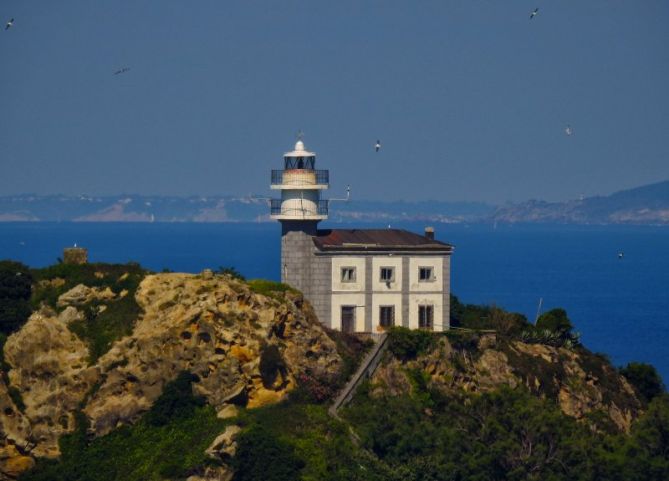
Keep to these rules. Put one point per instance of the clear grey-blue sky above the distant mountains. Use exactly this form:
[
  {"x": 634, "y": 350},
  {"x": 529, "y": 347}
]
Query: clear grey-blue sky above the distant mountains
[{"x": 470, "y": 99}]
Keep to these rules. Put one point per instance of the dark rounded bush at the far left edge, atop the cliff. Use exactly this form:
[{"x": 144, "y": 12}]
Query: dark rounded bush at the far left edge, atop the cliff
[{"x": 15, "y": 290}]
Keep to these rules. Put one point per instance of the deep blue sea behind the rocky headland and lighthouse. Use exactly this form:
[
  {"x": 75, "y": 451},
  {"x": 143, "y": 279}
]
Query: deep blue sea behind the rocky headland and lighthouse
[{"x": 620, "y": 306}]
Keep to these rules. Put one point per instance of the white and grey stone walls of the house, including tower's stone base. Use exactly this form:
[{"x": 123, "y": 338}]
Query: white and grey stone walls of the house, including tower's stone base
[{"x": 318, "y": 275}]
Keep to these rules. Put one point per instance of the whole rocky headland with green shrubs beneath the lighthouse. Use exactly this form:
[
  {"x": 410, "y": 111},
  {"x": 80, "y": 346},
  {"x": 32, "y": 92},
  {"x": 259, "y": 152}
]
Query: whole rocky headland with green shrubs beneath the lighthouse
[{"x": 524, "y": 402}]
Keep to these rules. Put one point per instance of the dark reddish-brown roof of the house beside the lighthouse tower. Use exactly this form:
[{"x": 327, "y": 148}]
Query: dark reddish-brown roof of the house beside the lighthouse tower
[{"x": 379, "y": 239}]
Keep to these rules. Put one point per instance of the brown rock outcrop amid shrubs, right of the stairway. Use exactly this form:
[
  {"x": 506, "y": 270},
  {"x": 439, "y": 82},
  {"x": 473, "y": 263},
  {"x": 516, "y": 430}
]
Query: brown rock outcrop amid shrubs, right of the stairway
[{"x": 579, "y": 382}]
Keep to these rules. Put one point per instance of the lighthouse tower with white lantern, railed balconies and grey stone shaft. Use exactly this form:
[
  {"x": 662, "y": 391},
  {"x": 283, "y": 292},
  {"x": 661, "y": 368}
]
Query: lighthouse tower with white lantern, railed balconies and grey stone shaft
[{"x": 299, "y": 210}]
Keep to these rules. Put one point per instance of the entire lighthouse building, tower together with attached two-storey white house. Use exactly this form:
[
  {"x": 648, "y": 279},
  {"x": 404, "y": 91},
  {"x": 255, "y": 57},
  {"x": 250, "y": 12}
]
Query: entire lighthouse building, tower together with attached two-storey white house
[{"x": 358, "y": 280}]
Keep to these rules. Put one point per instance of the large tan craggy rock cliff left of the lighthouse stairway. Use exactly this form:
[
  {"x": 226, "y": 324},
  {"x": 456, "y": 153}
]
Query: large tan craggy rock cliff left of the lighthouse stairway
[{"x": 211, "y": 326}]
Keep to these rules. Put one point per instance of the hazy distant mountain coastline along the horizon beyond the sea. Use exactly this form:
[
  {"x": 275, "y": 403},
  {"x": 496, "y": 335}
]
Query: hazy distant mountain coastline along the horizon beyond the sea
[{"x": 643, "y": 205}]
